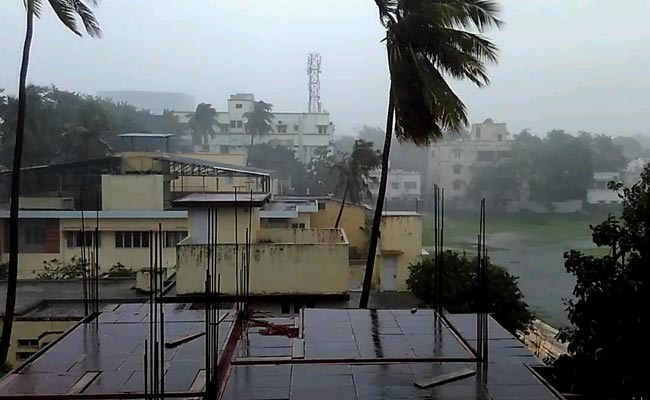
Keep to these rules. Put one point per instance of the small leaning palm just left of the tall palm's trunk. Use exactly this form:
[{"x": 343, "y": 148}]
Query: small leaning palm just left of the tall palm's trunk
[{"x": 354, "y": 173}]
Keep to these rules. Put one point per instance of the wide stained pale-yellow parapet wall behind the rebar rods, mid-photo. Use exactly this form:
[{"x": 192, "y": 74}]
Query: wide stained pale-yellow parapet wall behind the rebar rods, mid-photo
[{"x": 275, "y": 268}]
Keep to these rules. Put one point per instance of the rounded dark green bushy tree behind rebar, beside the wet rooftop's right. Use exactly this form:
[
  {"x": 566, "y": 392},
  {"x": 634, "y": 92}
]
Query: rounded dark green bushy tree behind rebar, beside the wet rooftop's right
[{"x": 505, "y": 304}]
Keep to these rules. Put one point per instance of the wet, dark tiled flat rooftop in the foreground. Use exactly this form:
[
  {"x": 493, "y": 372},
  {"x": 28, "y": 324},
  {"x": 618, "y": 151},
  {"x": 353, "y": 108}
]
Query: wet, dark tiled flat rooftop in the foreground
[{"x": 319, "y": 354}]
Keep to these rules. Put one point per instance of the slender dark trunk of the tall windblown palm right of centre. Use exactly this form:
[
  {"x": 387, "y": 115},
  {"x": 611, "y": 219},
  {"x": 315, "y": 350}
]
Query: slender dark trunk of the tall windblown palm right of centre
[{"x": 379, "y": 206}]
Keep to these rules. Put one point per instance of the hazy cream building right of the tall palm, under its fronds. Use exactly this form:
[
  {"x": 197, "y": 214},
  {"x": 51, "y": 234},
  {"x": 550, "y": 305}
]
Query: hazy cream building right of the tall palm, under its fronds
[{"x": 452, "y": 163}]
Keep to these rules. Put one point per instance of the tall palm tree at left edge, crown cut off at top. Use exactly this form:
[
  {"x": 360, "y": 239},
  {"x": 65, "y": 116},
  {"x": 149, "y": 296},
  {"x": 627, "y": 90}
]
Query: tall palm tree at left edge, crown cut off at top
[{"x": 67, "y": 11}]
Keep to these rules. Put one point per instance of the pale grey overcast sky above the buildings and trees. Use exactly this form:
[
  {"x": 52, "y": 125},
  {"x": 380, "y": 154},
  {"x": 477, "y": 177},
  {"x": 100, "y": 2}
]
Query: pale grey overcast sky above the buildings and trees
[{"x": 569, "y": 64}]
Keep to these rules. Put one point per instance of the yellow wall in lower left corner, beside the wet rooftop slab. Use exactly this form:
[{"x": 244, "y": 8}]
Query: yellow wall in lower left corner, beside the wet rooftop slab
[{"x": 23, "y": 329}]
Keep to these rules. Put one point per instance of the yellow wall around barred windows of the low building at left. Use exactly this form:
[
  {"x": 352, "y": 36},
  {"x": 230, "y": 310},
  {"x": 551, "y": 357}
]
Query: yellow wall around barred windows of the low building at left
[{"x": 31, "y": 264}]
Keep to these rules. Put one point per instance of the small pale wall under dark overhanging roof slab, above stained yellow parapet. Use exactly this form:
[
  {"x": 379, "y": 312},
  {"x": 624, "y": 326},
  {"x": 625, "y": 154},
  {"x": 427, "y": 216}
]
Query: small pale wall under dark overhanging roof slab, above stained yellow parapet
[{"x": 198, "y": 225}]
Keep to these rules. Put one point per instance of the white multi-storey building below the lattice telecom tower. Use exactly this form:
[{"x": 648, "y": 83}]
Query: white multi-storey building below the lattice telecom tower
[{"x": 304, "y": 132}]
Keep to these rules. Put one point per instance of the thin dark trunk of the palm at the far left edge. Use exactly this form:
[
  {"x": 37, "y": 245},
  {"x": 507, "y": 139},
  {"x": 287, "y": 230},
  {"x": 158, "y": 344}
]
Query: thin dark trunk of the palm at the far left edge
[{"x": 12, "y": 277}]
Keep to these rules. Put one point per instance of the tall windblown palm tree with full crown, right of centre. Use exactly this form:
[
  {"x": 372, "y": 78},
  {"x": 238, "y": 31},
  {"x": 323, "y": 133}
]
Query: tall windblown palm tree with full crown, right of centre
[{"x": 427, "y": 41}]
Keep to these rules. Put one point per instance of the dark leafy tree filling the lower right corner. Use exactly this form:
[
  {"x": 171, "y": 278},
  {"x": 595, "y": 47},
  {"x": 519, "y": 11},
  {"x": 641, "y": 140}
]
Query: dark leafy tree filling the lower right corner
[{"x": 609, "y": 316}]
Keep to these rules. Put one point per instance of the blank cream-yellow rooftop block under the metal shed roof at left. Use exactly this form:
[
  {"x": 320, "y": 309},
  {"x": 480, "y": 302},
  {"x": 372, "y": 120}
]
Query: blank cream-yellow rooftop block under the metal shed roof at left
[{"x": 133, "y": 192}]
